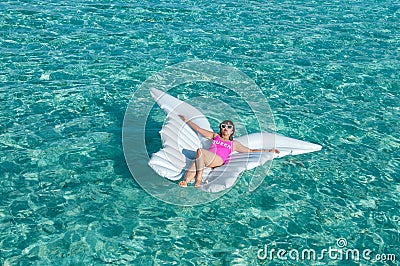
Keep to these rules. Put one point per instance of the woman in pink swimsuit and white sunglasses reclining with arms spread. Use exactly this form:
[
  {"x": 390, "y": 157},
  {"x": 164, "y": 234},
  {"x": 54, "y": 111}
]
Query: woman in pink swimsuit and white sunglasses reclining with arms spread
[{"x": 222, "y": 146}]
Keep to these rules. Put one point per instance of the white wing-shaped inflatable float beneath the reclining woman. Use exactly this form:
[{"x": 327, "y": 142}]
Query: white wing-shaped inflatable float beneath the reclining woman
[{"x": 180, "y": 143}]
